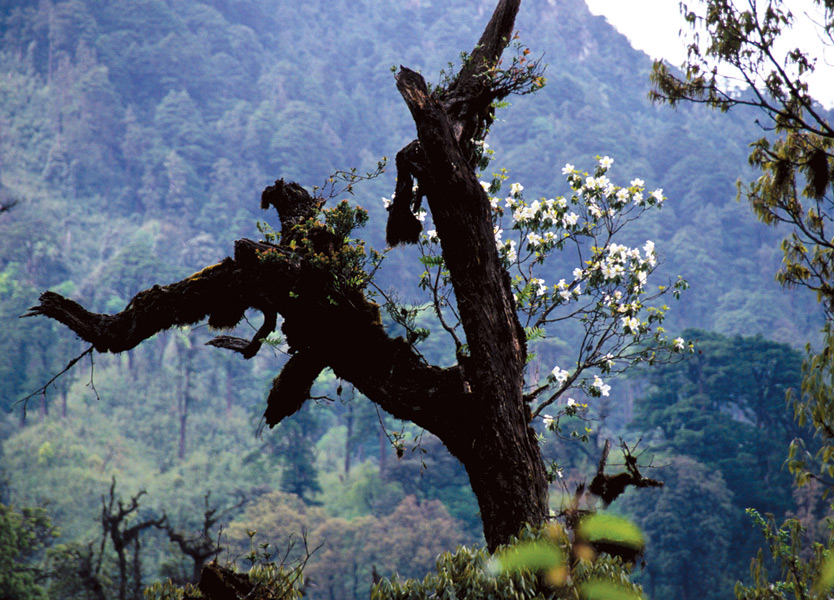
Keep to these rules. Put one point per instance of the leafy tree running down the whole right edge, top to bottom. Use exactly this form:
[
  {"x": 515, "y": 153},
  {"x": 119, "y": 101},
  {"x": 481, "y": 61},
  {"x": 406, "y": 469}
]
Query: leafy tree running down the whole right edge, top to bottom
[{"x": 743, "y": 43}]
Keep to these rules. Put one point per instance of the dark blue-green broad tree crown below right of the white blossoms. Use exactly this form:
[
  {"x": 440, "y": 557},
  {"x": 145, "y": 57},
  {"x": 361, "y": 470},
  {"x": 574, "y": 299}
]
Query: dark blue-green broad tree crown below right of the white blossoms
[{"x": 715, "y": 406}]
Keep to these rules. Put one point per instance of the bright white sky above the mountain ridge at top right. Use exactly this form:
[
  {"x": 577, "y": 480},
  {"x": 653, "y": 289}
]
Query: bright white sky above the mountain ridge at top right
[{"x": 658, "y": 35}]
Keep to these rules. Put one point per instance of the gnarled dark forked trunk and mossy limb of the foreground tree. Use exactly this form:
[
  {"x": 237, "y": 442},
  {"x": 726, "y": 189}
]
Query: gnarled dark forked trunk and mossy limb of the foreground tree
[{"x": 475, "y": 407}]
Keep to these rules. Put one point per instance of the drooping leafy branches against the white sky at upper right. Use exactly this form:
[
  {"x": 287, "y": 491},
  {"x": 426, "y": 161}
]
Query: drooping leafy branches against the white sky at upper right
[{"x": 740, "y": 40}]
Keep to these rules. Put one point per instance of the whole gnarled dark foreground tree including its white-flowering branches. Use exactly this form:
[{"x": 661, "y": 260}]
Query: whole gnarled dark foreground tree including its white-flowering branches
[{"x": 488, "y": 294}]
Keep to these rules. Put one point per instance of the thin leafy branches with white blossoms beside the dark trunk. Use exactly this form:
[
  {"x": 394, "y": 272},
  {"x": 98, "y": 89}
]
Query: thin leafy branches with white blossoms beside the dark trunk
[{"x": 606, "y": 292}]
